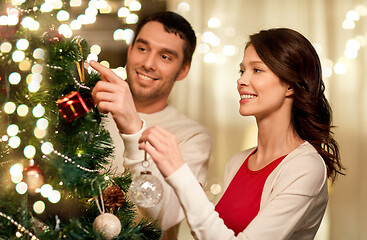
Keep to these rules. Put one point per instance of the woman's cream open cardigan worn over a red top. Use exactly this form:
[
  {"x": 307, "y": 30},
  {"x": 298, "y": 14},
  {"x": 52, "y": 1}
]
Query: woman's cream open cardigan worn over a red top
[{"x": 292, "y": 206}]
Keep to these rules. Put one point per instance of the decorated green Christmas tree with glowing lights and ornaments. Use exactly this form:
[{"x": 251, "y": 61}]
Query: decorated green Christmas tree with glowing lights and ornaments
[{"x": 54, "y": 148}]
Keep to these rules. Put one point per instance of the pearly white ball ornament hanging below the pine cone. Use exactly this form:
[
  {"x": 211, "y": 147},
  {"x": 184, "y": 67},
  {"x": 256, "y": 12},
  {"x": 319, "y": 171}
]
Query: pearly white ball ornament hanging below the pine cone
[{"x": 108, "y": 225}]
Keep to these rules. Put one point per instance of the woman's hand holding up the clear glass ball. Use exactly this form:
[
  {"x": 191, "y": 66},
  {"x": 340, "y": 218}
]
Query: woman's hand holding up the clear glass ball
[{"x": 163, "y": 148}]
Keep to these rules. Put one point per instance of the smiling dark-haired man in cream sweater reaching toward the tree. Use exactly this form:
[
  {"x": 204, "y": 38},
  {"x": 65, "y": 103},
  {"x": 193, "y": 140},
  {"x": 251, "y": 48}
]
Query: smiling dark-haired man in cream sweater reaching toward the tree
[{"x": 159, "y": 55}]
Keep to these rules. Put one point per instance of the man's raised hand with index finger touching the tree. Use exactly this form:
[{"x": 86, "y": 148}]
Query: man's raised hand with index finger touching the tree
[{"x": 112, "y": 95}]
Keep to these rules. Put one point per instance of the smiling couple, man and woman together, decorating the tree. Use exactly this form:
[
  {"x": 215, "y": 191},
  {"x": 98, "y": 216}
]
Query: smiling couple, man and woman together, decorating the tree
[{"x": 277, "y": 190}]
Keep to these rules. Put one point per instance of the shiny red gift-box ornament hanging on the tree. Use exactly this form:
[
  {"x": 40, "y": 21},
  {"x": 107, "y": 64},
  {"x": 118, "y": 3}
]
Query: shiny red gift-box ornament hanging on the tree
[{"x": 73, "y": 106}]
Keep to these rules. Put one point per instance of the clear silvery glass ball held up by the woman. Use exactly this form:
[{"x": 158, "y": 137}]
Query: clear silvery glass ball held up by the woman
[{"x": 146, "y": 190}]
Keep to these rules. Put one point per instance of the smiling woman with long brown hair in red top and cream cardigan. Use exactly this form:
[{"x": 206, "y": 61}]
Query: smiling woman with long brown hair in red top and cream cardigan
[{"x": 277, "y": 190}]
